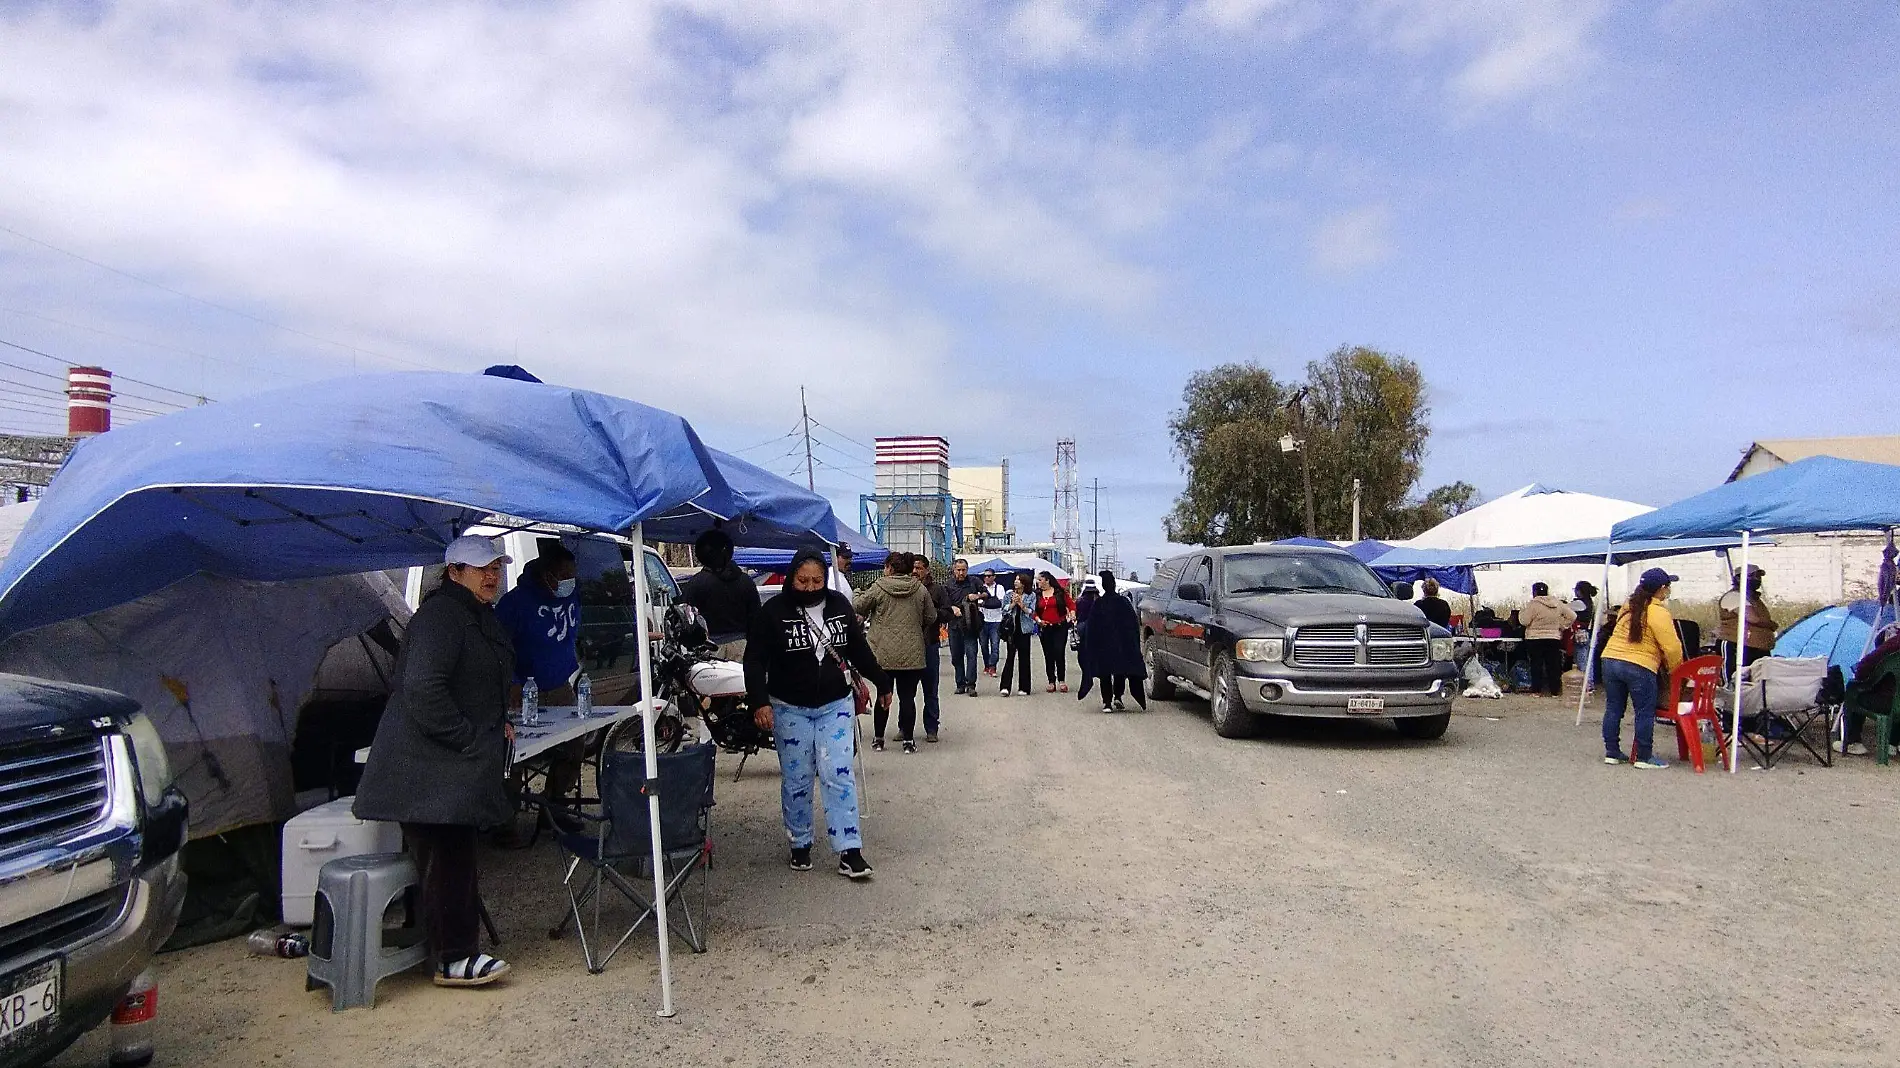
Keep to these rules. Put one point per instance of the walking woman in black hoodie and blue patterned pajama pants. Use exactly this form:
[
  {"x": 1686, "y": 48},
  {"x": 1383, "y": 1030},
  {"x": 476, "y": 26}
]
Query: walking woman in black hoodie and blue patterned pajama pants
[{"x": 799, "y": 689}]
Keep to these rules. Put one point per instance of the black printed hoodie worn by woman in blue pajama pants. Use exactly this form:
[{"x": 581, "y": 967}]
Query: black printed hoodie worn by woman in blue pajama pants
[{"x": 780, "y": 664}]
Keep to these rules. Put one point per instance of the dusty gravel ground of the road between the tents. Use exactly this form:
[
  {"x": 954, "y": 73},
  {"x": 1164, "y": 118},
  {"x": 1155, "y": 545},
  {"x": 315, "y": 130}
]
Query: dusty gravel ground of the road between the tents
[{"x": 1057, "y": 887}]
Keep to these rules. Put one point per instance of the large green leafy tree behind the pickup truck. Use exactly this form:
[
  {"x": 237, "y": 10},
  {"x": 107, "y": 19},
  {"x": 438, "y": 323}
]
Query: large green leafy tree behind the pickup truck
[{"x": 1363, "y": 415}]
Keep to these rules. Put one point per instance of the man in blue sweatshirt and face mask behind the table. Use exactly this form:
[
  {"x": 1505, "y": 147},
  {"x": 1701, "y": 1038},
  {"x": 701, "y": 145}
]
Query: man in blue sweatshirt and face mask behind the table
[{"x": 542, "y": 617}]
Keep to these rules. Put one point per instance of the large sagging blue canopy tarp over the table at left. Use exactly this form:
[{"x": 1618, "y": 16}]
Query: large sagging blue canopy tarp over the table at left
[{"x": 360, "y": 474}]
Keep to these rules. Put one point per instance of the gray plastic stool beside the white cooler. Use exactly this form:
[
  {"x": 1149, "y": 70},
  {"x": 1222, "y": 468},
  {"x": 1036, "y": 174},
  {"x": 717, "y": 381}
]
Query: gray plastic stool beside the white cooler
[{"x": 347, "y": 942}]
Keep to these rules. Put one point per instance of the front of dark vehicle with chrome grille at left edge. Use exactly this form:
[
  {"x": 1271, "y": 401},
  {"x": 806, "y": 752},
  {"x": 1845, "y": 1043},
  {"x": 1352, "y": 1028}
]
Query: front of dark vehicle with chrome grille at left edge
[{"x": 90, "y": 837}]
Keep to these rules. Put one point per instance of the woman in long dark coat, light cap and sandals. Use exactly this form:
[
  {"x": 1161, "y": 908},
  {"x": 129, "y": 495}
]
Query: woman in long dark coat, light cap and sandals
[{"x": 440, "y": 759}]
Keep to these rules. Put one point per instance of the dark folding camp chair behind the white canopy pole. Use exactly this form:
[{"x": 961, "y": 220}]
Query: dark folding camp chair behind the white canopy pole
[{"x": 618, "y": 845}]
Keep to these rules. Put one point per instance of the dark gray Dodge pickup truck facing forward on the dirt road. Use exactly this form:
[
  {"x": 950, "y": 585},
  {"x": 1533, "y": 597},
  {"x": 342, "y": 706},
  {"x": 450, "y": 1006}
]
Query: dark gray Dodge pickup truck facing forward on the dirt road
[{"x": 1297, "y": 632}]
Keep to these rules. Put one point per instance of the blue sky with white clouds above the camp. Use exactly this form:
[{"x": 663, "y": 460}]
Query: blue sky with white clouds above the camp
[{"x": 1622, "y": 238}]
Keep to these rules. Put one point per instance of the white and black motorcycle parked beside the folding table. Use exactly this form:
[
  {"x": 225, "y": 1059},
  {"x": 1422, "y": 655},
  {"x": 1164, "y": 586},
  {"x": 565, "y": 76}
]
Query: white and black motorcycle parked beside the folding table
[{"x": 696, "y": 683}]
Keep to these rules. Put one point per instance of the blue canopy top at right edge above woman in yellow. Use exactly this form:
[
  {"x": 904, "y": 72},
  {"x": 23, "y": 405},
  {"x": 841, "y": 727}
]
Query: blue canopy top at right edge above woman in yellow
[{"x": 1812, "y": 495}]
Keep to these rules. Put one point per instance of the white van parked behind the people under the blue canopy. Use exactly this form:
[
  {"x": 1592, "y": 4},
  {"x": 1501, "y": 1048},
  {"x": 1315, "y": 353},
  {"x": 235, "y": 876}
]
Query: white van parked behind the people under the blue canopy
[{"x": 603, "y": 567}]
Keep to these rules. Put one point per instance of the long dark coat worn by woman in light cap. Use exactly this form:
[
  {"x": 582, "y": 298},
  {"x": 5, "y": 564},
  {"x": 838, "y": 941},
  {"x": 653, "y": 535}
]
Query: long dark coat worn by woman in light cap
[{"x": 442, "y": 746}]
